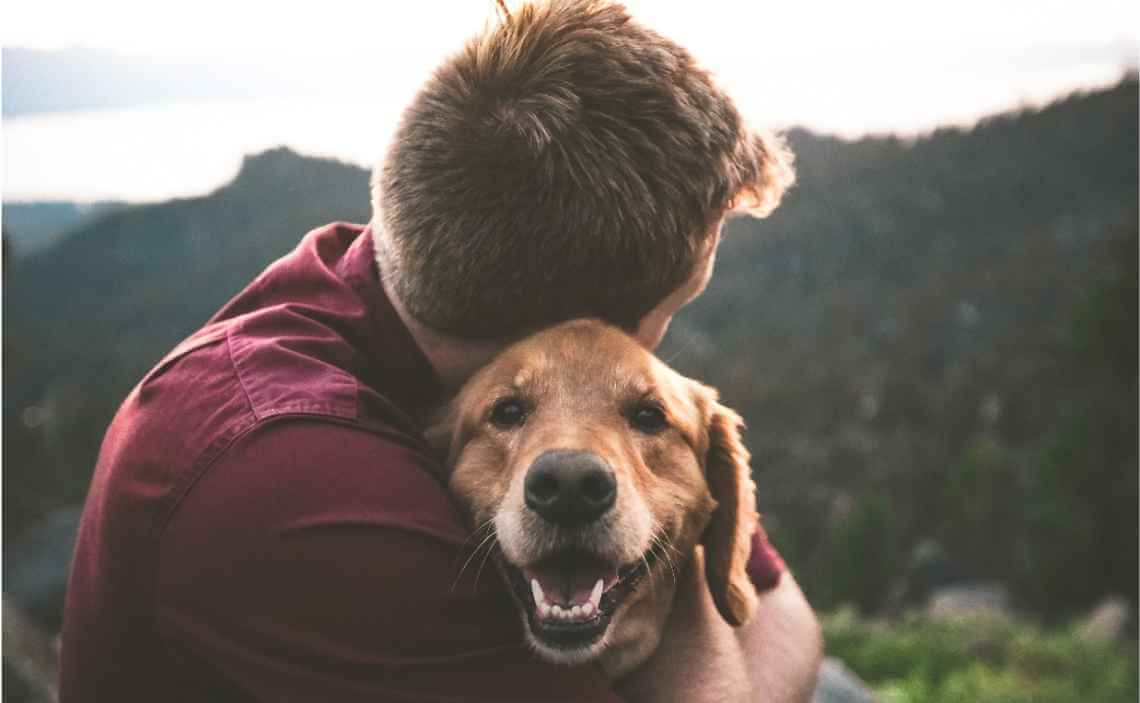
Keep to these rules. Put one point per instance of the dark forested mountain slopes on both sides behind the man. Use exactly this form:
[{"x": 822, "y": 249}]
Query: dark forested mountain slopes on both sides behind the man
[{"x": 932, "y": 340}]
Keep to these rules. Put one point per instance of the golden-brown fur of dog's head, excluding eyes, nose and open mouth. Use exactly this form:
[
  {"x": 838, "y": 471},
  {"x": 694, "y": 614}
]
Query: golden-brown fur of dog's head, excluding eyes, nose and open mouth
[{"x": 682, "y": 488}]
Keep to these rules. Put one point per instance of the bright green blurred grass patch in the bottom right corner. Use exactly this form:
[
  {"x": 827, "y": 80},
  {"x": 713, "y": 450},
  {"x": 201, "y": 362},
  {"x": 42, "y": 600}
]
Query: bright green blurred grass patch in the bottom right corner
[{"x": 982, "y": 661}]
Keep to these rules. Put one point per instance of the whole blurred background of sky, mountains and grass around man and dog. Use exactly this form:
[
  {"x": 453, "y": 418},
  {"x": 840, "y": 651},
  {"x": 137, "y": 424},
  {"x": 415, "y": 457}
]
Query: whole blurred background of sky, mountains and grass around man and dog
[{"x": 933, "y": 340}]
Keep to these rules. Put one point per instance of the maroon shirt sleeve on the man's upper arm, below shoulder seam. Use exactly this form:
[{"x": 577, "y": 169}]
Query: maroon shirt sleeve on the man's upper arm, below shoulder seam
[{"x": 320, "y": 562}]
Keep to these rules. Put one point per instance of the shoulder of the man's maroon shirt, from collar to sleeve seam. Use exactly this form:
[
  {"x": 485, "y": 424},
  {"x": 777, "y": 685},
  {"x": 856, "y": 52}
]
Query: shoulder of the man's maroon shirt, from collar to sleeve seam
[{"x": 311, "y": 338}]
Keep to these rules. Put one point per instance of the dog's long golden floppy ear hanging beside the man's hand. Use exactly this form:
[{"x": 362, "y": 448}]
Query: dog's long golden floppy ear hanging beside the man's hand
[{"x": 729, "y": 536}]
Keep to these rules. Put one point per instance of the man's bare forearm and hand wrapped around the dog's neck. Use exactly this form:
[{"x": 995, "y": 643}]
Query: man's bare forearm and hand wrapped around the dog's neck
[{"x": 775, "y": 658}]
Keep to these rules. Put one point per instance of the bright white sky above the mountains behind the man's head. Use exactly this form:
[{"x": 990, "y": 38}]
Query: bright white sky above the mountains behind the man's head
[{"x": 850, "y": 69}]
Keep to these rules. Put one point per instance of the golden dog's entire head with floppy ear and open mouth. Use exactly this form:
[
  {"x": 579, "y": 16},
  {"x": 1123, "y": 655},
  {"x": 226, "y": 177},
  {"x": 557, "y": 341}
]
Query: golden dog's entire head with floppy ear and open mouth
[{"x": 598, "y": 470}]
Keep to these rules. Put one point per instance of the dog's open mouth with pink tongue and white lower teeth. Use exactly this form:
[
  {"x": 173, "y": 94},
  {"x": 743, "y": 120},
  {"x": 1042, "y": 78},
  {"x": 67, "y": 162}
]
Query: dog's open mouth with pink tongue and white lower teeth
[{"x": 571, "y": 596}]
